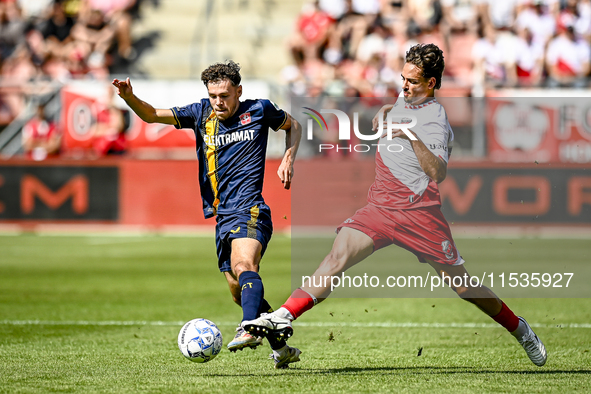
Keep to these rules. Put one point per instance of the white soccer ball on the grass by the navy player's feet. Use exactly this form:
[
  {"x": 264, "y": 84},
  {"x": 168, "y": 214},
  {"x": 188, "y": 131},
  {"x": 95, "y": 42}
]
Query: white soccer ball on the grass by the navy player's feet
[{"x": 200, "y": 340}]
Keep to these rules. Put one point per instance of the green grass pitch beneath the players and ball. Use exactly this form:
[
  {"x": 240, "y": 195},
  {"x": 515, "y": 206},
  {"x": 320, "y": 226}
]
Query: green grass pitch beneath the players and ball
[{"x": 55, "y": 289}]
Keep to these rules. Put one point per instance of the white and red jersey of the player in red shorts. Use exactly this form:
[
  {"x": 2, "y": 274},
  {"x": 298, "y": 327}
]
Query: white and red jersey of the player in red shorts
[{"x": 400, "y": 181}]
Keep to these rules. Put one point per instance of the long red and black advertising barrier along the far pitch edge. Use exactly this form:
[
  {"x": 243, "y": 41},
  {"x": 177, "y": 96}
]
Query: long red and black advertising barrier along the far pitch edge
[{"x": 162, "y": 193}]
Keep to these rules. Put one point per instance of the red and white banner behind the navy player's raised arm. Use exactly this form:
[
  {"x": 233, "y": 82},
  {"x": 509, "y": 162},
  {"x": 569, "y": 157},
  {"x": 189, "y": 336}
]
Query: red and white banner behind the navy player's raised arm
[{"x": 89, "y": 105}]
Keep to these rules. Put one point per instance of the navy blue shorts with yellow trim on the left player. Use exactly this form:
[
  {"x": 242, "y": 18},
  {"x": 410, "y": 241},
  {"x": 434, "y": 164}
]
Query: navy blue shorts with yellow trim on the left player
[{"x": 252, "y": 223}]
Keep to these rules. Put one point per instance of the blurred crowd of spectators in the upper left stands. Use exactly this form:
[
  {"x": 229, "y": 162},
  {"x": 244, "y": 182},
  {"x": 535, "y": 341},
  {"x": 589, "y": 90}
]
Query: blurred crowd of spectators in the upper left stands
[{"x": 59, "y": 40}]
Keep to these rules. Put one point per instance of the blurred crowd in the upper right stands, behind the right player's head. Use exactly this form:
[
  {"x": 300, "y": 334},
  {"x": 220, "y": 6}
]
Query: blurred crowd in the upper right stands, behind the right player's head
[{"x": 357, "y": 47}]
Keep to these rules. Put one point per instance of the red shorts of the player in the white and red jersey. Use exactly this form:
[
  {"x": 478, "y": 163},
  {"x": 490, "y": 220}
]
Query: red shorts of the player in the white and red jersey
[{"x": 422, "y": 231}]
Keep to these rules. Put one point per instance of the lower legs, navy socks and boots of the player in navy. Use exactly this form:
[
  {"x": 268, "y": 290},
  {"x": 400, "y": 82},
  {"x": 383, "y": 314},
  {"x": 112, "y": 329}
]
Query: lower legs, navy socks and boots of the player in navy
[{"x": 245, "y": 259}]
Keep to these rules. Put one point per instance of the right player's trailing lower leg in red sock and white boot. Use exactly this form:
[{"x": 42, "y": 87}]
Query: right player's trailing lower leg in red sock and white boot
[{"x": 489, "y": 303}]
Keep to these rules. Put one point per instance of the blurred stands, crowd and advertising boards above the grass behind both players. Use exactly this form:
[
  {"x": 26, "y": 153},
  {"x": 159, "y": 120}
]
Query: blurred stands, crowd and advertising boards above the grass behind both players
[{"x": 516, "y": 81}]
